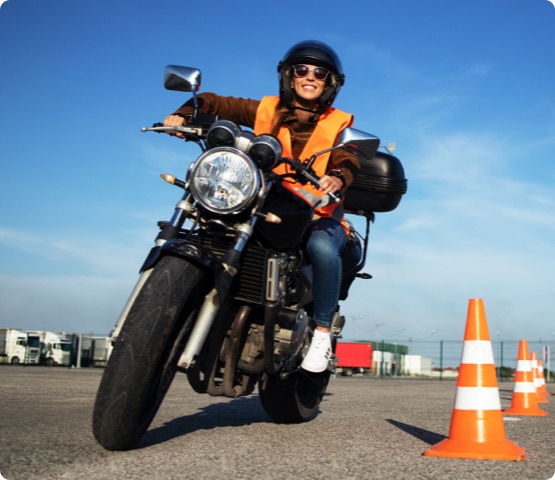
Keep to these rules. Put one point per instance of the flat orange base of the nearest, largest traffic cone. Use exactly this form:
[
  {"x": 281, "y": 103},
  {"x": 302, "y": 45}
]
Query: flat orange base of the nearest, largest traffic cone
[{"x": 505, "y": 450}]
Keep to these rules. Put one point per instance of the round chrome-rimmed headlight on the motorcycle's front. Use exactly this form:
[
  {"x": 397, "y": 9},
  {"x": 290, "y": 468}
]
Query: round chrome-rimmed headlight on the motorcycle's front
[{"x": 224, "y": 180}]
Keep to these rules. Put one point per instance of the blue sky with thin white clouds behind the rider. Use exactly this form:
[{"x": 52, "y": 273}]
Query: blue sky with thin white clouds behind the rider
[{"x": 464, "y": 88}]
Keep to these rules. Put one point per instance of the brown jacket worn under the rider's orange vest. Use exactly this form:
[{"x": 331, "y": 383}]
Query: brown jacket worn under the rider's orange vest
[{"x": 243, "y": 111}]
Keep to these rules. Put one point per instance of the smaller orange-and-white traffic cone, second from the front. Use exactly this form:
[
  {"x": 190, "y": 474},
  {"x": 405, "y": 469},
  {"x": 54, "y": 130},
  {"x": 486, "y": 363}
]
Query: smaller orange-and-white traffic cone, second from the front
[{"x": 524, "y": 400}]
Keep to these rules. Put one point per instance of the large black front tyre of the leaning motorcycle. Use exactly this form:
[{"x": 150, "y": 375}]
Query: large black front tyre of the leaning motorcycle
[{"x": 144, "y": 359}]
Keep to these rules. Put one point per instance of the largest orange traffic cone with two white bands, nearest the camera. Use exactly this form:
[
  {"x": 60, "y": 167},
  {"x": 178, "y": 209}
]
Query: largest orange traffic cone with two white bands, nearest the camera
[{"x": 477, "y": 428}]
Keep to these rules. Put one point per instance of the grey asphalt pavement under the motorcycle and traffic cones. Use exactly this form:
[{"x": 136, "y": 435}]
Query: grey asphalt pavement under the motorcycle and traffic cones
[{"x": 367, "y": 428}]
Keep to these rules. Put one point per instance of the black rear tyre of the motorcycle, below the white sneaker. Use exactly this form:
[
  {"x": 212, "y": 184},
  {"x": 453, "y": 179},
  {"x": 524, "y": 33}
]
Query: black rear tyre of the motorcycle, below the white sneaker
[{"x": 295, "y": 398}]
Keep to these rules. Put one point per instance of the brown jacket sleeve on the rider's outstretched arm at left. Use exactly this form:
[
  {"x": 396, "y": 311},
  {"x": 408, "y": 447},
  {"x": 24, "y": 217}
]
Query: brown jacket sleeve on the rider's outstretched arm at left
[{"x": 238, "y": 110}]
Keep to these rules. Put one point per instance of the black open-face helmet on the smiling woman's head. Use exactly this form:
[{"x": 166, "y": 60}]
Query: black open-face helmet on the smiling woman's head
[{"x": 317, "y": 53}]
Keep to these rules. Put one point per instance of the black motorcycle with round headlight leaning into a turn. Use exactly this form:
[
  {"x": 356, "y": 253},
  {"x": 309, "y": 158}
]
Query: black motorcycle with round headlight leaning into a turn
[{"x": 227, "y": 299}]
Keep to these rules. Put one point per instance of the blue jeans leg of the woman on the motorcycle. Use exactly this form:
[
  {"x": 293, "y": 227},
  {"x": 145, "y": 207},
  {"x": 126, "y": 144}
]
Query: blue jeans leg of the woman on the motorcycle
[{"x": 325, "y": 245}]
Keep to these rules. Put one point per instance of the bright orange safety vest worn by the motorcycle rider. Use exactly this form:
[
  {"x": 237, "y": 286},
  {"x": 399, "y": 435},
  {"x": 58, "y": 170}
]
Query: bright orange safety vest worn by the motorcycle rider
[{"x": 331, "y": 122}]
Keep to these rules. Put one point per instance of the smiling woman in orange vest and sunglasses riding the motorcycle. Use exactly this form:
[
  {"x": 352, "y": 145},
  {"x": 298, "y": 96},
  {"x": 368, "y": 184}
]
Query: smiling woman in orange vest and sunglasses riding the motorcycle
[{"x": 303, "y": 119}]
